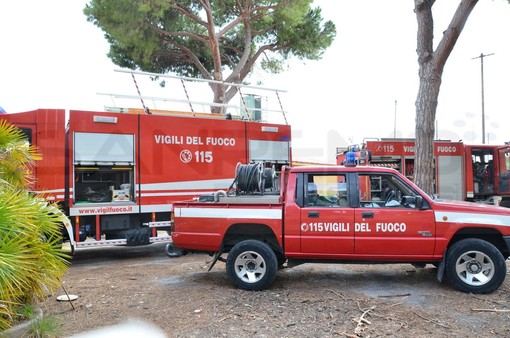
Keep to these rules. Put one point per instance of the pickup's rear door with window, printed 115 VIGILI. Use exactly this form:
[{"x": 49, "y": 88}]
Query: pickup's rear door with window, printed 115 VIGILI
[{"x": 326, "y": 216}]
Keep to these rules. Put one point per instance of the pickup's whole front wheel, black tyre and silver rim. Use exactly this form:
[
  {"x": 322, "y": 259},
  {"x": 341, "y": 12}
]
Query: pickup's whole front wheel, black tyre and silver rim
[{"x": 475, "y": 266}]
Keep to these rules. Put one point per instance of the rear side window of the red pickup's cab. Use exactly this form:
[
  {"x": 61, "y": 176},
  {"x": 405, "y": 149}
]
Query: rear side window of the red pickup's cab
[{"x": 326, "y": 190}]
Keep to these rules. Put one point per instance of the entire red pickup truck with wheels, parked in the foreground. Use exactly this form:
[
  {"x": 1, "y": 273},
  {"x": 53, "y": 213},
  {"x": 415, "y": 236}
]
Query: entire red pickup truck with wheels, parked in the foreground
[{"x": 346, "y": 214}]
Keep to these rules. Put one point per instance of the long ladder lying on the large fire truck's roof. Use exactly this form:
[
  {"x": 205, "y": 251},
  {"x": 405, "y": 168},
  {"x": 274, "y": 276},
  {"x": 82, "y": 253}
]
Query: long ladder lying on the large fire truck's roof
[{"x": 243, "y": 109}]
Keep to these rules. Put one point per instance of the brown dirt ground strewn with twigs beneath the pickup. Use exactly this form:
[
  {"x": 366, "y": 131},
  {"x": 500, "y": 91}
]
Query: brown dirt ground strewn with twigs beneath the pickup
[{"x": 179, "y": 297}]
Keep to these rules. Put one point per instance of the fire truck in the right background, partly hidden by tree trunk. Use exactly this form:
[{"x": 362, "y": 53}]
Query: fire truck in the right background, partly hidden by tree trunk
[{"x": 463, "y": 172}]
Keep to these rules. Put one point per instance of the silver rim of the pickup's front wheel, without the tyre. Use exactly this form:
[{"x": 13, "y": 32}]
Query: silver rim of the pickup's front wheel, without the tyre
[{"x": 475, "y": 268}]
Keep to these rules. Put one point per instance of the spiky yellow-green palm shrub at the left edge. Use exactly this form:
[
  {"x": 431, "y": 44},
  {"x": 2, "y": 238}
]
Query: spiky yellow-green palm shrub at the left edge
[{"x": 31, "y": 258}]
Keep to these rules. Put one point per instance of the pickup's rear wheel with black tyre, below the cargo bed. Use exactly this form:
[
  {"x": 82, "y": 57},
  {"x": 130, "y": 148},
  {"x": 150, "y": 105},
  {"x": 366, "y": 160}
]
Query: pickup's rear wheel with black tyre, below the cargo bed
[{"x": 252, "y": 265}]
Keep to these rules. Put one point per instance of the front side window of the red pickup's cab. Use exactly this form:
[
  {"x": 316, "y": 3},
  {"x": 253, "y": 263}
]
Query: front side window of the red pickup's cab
[{"x": 384, "y": 191}]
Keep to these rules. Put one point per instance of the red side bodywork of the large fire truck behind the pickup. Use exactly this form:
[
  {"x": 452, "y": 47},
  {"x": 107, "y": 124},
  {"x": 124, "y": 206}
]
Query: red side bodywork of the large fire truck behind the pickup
[{"x": 216, "y": 146}]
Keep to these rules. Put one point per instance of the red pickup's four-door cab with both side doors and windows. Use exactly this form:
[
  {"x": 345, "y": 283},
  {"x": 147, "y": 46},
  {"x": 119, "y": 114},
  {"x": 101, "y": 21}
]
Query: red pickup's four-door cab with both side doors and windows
[{"x": 369, "y": 212}]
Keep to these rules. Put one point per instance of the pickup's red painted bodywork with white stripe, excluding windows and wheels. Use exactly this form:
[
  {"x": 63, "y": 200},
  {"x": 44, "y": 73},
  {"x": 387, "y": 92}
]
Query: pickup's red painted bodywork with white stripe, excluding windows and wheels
[{"x": 348, "y": 233}]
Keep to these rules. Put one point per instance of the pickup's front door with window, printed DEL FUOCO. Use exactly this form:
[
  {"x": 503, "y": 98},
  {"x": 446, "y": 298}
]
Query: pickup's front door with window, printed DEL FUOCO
[{"x": 387, "y": 223}]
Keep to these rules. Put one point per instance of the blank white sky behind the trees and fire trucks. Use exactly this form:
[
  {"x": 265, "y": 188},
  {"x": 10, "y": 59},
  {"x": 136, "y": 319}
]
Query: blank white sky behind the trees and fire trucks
[{"x": 364, "y": 86}]
